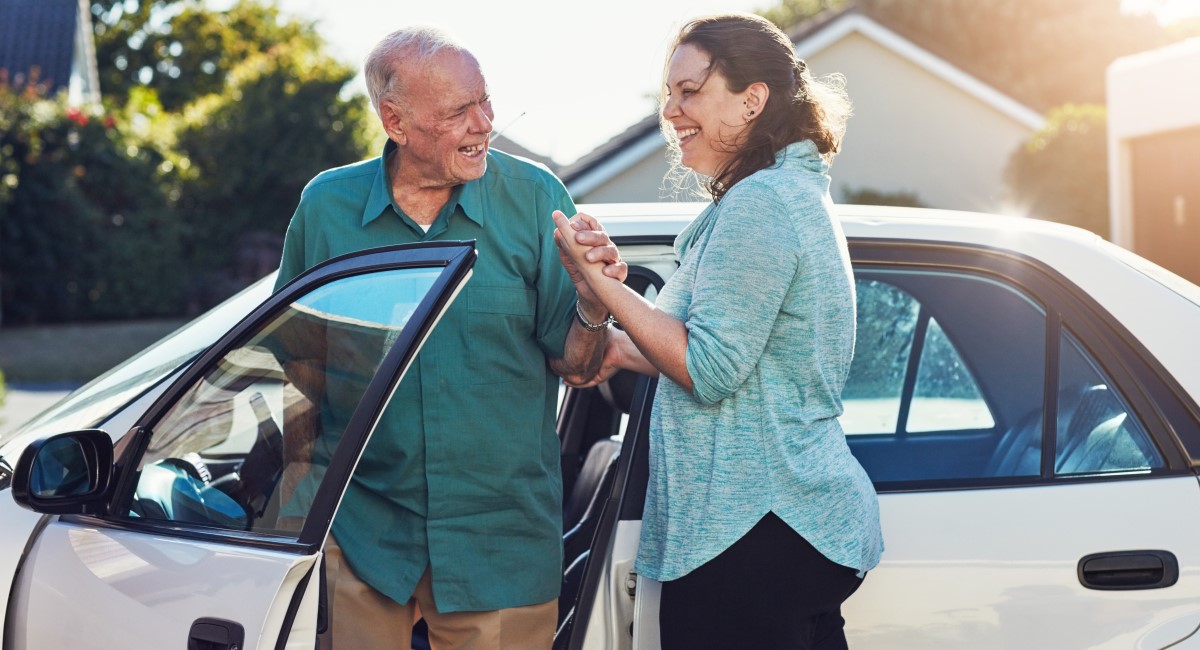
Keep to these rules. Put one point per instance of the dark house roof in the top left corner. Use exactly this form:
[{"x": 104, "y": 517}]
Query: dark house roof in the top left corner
[{"x": 39, "y": 34}]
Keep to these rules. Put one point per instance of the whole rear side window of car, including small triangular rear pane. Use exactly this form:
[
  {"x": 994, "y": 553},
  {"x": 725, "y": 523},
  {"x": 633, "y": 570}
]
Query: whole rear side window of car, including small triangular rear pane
[{"x": 949, "y": 386}]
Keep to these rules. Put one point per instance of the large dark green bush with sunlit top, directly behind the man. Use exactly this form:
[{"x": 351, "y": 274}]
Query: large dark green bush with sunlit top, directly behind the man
[{"x": 249, "y": 152}]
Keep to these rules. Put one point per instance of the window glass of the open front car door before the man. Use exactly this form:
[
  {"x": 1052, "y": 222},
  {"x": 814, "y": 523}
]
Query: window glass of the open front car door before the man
[{"x": 247, "y": 446}]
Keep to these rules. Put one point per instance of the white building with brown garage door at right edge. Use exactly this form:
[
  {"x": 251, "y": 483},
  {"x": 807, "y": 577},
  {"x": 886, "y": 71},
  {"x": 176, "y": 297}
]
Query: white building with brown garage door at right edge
[{"x": 1154, "y": 101}]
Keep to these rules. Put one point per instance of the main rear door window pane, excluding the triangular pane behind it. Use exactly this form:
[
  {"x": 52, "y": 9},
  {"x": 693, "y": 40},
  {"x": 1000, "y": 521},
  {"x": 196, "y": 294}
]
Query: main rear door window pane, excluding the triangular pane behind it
[{"x": 947, "y": 378}]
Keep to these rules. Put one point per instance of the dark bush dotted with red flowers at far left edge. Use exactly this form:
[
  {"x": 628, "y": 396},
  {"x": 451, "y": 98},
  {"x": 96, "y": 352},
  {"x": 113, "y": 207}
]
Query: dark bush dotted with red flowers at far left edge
[{"x": 76, "y": 179}]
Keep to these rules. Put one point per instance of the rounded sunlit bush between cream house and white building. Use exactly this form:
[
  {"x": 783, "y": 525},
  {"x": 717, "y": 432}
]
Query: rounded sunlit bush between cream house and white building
[{"x": 1061, "y": 174}]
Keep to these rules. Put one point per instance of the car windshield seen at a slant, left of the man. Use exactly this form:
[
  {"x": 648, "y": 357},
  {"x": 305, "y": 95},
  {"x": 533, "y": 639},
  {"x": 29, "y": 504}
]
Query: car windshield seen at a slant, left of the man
[{"x": 100, "y": 399}]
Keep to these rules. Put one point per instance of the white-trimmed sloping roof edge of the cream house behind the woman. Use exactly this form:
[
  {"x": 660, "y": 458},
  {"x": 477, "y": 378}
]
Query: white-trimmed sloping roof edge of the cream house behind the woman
[{"x": 644, "y": 139}]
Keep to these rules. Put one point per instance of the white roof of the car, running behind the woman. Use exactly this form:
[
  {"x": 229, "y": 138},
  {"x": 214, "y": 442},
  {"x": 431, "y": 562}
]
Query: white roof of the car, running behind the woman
[{"x": 1155, "y": 305}]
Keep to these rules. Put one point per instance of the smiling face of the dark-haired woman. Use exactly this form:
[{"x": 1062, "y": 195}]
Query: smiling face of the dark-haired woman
[{"x": 709, "y": 121}]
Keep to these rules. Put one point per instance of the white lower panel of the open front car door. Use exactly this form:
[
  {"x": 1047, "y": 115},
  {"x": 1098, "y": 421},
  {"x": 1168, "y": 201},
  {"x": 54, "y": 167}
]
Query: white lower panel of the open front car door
[{"x": 98, "y": 582}]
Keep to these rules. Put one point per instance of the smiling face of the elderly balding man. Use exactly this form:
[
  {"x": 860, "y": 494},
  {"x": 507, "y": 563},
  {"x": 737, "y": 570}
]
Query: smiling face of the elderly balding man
[{"x": 445, "y": 122}]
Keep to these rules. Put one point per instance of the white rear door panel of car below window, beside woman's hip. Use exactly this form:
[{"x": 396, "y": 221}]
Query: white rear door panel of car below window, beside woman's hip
[{"x": 973, "y": 579}]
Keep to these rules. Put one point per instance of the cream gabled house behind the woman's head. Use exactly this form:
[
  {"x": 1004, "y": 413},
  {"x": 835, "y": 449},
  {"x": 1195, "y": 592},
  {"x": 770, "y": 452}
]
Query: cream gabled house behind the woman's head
[{"x": 921, "y": 127}]
